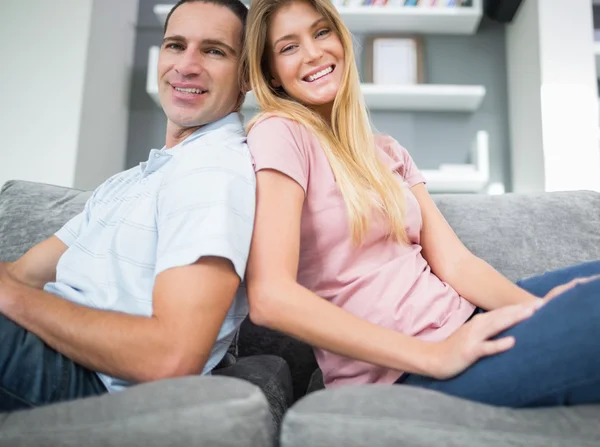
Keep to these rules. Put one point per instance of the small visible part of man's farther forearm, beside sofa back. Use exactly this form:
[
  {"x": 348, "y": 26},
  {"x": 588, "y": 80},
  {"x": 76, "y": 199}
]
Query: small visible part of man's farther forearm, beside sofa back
[{"x": 38, "y": 266}]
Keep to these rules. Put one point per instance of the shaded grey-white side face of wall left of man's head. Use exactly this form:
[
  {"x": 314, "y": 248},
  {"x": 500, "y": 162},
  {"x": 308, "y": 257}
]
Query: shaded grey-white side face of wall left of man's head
[{"x": 105, "y": 111}]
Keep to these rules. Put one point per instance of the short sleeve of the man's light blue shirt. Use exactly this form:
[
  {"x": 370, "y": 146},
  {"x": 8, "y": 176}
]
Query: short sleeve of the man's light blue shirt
[{"x": 205, "y": 207}]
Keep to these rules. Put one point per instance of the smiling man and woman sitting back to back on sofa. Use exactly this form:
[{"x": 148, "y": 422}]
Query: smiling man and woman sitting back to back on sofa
[{"x": 329, "y": 225}]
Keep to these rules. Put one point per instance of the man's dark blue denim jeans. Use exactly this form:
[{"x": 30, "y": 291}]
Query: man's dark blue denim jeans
[{"x": 33, "y": 374}]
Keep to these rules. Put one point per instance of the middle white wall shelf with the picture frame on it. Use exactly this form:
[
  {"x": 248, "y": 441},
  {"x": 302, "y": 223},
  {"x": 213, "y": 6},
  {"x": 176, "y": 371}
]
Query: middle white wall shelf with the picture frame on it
[{"x": 415, "y": 98}]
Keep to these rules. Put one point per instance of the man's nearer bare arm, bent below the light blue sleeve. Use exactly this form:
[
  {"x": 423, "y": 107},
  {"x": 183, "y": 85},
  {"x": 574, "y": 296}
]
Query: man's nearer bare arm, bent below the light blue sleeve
[{"x": 189, "y": 306}]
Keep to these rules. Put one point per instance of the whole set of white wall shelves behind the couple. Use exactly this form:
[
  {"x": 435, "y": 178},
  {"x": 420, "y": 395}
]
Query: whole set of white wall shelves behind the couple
[{"x": 466, "y": 178}]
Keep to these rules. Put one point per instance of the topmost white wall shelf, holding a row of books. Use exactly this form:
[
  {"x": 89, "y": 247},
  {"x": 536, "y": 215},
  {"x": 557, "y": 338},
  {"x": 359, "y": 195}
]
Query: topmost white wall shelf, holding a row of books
[{"x": 388, "y": 19}]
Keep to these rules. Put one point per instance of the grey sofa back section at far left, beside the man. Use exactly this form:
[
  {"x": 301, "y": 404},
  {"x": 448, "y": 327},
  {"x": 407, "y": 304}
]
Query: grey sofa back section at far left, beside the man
[{"x": 32, "y": 212}]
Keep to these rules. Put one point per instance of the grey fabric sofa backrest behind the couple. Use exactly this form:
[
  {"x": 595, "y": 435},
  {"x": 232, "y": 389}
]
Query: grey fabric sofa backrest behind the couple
[{"x": 519, "y": 234}]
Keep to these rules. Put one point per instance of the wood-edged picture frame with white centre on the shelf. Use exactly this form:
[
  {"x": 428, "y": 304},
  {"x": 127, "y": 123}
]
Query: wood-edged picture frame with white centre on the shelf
[{"x": 392, "y": 59}]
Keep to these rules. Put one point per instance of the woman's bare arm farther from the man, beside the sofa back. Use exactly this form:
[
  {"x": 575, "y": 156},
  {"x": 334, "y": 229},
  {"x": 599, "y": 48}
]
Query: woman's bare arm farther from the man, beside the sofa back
[{"x": 453, "y": 263}]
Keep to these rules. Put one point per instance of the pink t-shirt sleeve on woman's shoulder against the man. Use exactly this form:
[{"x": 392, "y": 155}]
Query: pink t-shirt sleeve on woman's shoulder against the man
[{"x": 276, "y": 143}]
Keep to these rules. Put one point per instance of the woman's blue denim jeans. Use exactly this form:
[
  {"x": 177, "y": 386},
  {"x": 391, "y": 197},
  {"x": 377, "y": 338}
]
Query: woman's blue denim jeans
[{"x": 556, "y": 357}]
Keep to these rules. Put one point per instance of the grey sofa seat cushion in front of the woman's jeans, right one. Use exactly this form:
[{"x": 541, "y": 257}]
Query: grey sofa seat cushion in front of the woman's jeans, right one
[{"x": 399, "y": 415}]
